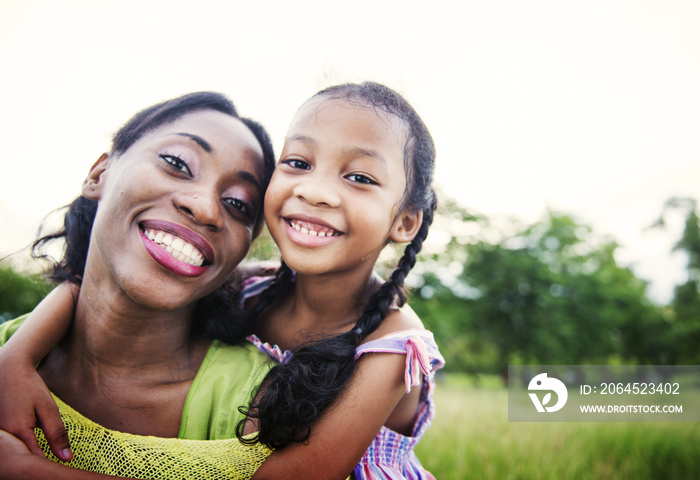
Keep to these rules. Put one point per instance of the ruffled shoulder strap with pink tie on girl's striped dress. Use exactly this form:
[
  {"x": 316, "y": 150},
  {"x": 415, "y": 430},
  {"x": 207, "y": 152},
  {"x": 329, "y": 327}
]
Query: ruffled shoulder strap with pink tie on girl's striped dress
[{"x": 422, "y": 354}]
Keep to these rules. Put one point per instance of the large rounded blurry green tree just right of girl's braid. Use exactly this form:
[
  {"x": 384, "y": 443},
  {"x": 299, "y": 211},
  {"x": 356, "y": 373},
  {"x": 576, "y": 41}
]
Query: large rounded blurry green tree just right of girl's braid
[{"x": 550, "y": 292}]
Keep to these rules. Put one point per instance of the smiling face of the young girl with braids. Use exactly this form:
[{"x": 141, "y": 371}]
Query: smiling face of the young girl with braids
[{"x": 334, "y": 199}]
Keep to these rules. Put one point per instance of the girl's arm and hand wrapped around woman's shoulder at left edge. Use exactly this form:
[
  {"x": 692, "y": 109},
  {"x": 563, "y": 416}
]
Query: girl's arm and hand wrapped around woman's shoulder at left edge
[{"x": 25, "y": 401}]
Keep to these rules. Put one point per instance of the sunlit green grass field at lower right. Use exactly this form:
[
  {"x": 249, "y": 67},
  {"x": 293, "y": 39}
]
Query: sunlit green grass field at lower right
[{"x": 472, "y": 438}]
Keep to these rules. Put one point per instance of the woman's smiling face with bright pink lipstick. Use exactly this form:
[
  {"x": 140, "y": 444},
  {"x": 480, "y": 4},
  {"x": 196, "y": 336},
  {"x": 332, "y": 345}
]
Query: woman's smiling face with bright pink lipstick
[{"x": 176, "y": 211}]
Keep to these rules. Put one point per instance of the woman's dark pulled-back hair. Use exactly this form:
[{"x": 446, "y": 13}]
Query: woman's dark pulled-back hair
[{"x": 80, "y": 214}]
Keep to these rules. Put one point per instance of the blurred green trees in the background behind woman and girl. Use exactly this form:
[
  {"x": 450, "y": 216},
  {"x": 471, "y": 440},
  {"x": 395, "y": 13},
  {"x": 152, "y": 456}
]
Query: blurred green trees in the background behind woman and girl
[{"x": 496, "y": 292}]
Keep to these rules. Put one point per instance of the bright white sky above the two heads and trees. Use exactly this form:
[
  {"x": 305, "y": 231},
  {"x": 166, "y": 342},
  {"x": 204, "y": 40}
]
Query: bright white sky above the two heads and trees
[{"x": 592, "y": 108}]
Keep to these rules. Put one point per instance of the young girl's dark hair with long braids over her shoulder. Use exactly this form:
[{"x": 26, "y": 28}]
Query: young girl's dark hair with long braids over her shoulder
[{"x": 294, "y": 394}]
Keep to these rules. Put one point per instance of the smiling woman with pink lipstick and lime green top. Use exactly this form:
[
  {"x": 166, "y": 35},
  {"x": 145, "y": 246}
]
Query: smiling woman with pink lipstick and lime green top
[{"x": 163, "y": 220}]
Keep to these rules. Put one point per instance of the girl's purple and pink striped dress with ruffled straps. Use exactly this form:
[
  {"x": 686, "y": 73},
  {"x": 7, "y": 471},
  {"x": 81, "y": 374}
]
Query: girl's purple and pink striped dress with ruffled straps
[{"x": 391, "y": 456}]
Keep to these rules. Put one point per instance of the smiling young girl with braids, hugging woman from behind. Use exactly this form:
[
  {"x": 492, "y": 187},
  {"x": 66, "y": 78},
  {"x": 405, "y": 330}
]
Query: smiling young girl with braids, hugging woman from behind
[{"x": 354, "y": 175}]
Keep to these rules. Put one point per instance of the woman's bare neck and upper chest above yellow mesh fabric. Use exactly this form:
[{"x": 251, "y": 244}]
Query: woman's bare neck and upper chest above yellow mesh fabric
[{"x": 127, "y": 368}]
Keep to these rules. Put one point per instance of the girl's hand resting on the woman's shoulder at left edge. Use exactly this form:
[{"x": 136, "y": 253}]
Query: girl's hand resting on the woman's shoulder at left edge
[{"x": 26, "y": 403}]
